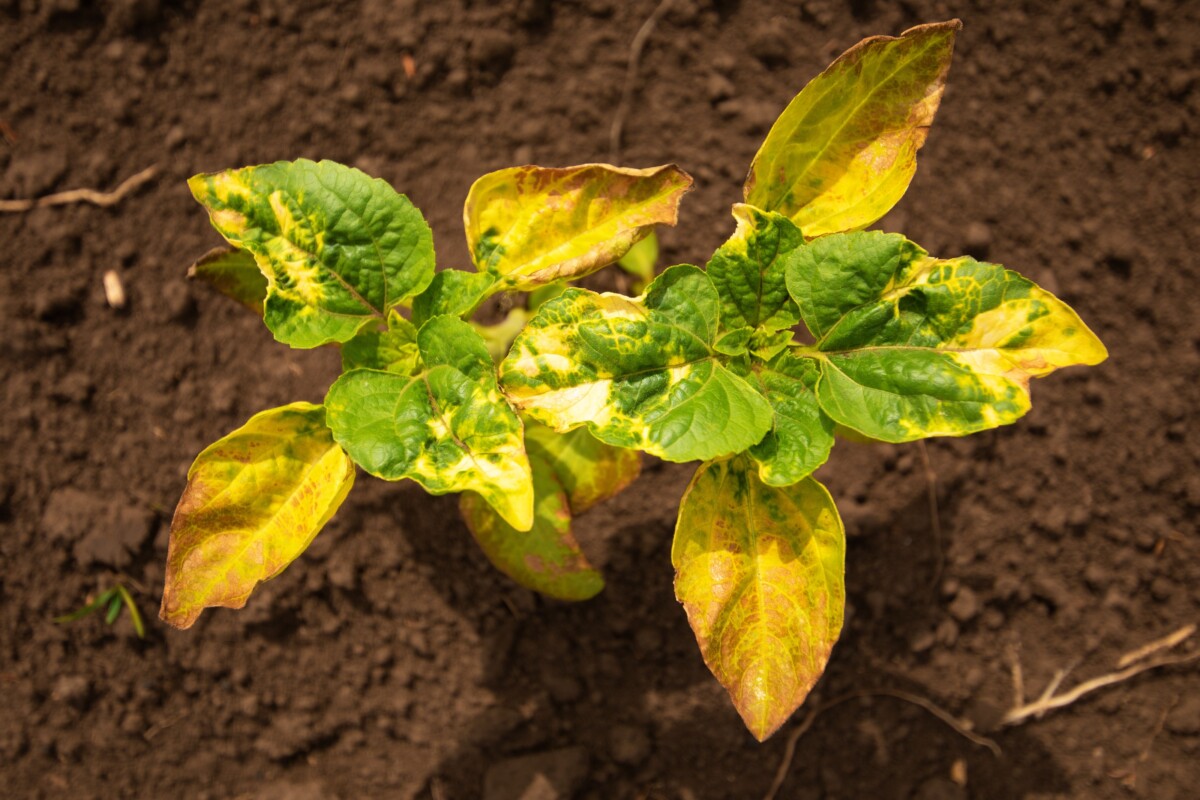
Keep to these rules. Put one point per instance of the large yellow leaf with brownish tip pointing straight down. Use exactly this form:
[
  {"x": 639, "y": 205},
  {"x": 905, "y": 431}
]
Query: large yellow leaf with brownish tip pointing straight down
[{"x": 760, "y": 572}]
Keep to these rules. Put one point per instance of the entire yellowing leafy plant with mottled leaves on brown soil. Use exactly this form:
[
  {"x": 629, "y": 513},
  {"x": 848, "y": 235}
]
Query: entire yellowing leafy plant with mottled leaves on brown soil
[{"x": 803, "y": 327}]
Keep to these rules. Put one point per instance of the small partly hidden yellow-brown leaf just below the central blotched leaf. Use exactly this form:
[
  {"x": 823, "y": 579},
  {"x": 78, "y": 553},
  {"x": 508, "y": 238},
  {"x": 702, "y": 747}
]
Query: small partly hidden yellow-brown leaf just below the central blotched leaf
[{"x": 590, "y": 471}]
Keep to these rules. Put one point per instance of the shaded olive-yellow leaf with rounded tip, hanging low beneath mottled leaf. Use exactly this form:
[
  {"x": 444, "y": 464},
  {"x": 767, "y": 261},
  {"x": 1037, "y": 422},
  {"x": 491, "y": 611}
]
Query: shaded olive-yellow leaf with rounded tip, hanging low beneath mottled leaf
[{"x": 547, "y": 558}]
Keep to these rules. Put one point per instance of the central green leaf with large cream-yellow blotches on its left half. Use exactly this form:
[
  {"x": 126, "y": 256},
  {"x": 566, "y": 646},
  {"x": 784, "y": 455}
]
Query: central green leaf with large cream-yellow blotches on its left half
[{"x": 640, "y": 374}]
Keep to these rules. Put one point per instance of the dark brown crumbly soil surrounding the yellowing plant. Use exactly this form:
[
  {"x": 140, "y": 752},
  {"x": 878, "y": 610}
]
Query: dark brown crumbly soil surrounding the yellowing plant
[{"x": 391, "y": 660}]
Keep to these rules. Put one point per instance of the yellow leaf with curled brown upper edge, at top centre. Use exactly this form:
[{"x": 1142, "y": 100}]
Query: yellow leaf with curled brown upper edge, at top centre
[{"x": 532, "y": 225}]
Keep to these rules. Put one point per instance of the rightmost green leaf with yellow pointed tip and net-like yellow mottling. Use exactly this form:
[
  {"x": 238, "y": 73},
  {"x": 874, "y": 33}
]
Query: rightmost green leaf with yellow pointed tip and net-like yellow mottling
[{"x": 914, "y": 347}]
